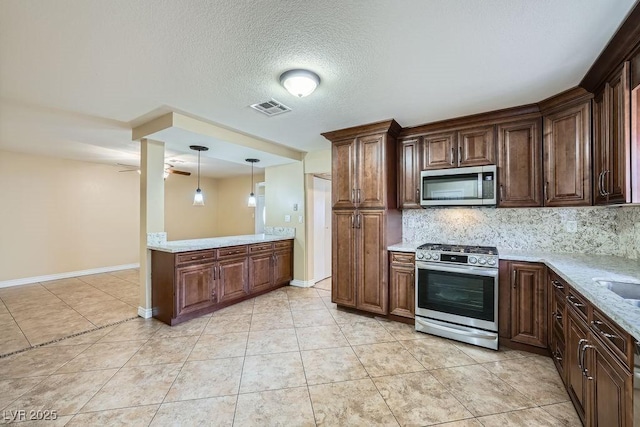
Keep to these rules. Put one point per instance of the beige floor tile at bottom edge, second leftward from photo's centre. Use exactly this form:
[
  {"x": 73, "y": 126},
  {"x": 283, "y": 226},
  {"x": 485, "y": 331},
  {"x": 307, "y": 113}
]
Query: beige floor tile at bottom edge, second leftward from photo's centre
[{"x": 214, "y": 412}]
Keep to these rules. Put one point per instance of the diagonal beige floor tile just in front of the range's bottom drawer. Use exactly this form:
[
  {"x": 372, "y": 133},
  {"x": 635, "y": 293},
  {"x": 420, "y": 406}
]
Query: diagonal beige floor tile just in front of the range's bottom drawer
[{"x": 437, "y": 353}]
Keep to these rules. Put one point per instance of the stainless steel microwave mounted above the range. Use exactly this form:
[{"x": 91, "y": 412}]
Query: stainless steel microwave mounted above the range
[{"x": 472, "y": 186}]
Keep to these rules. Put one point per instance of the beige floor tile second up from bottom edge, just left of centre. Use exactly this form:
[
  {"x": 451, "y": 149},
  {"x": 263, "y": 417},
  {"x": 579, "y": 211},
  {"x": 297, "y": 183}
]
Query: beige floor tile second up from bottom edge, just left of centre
[{"x": 272, "y": 372}]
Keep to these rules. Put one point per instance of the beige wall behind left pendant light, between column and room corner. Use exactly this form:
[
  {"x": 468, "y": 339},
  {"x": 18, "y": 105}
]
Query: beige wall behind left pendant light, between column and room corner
[{"x": 182, "y": 219}]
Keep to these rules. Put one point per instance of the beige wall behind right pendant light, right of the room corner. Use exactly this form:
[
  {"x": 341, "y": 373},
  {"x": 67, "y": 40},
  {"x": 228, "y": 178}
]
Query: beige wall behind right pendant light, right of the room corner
[{"x": 234, "y": 216}]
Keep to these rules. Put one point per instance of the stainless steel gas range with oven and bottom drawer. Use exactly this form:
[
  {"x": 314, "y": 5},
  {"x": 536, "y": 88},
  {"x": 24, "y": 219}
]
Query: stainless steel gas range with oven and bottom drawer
[{"x": 457, "y": 293}]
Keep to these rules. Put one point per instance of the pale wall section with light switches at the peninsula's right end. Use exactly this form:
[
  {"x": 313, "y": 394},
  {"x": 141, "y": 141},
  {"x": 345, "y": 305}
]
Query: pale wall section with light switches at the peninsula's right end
[{"x": 284, "y": 188}]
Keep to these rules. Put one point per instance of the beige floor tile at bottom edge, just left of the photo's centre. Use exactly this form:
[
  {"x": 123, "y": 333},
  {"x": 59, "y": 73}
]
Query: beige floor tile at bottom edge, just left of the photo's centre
[{"x": 287, "y": 407}]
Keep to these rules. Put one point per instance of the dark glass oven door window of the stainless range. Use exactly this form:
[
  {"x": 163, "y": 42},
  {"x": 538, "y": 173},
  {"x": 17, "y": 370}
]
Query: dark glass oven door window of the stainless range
[{"x": 461, "y": 294}]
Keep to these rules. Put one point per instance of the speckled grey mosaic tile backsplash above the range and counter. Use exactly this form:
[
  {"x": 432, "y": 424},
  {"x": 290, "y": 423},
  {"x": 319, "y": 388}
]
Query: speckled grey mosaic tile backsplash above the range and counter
[{"x": 601, "y": 230}]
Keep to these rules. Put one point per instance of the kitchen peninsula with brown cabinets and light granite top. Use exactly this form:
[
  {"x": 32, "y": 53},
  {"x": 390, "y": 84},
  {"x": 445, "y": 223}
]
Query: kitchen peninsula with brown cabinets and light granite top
[{"x": 190, "y": 278}]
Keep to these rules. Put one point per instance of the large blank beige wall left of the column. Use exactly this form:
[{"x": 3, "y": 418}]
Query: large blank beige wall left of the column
[{"x": 61, "y": 215}]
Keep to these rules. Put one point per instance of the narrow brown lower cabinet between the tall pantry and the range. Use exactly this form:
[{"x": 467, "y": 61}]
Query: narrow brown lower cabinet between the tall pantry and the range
[{"x": 402, "y": 278}]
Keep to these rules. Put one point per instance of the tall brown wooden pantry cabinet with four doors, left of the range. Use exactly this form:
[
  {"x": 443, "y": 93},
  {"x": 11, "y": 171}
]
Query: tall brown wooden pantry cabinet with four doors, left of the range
[{"x": 365, "y": 215}]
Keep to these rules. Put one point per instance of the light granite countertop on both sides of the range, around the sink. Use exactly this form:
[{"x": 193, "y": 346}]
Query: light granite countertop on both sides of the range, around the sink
[{"x": 580, "y": 270}]
